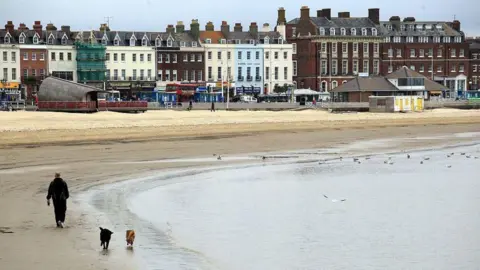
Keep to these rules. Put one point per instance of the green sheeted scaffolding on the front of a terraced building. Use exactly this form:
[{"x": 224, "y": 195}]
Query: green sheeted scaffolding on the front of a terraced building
[{"x": 90, "y": 62}]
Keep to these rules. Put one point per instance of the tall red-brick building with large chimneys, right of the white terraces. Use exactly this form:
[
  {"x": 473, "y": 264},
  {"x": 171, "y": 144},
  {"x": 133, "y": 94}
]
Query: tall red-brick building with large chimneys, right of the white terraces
[{"x": 330, "y": 50}]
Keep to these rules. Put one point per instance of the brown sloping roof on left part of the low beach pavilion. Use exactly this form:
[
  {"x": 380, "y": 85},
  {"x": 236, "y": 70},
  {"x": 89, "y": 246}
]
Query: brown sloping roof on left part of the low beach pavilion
[{"x": 366, "y": 84}]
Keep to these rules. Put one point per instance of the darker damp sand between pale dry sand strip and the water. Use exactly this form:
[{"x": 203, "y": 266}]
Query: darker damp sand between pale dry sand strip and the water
[{"x": 26, "y": 171}]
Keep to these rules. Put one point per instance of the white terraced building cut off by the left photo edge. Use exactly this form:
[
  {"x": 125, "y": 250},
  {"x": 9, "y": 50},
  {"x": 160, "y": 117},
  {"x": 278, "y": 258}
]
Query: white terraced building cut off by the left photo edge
[{"x": 10, "y": 63}]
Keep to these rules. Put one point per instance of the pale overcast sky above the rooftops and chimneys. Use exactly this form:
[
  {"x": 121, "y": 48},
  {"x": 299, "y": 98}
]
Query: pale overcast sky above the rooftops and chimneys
[{"x": 155, "y": 15}]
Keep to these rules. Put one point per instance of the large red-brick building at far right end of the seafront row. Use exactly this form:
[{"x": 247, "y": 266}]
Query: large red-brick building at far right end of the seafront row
[{"x": 435, "y": 49}]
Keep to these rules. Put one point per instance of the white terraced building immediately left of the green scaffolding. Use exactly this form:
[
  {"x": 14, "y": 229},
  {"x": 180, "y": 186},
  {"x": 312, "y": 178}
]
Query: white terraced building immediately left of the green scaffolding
[{"x": 62, "y": 62}]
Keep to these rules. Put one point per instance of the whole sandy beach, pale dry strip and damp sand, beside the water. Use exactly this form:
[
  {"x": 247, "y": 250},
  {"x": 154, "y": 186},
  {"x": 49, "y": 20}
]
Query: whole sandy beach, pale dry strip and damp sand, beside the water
[{"x": 88, "y": 148}]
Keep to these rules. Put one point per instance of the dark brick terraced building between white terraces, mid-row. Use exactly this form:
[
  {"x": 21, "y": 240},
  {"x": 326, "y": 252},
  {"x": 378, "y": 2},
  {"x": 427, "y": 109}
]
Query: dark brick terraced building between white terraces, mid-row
[{"x": 180, "y": 55}]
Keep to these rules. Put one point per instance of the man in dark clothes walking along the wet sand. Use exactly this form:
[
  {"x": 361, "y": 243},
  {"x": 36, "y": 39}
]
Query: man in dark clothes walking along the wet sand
[{"x": 58, "y": 192}]
